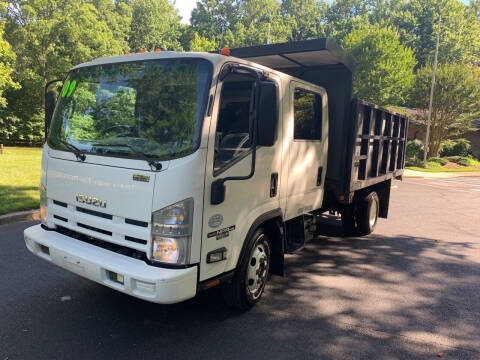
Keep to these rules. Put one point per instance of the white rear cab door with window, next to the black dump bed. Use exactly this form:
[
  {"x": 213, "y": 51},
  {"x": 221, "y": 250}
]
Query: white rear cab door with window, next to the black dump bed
[{"x": 307, "y": 156}]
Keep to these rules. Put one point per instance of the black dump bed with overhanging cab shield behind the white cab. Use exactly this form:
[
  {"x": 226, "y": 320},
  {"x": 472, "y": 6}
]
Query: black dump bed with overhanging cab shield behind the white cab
[{"x": 366, "y": 144}]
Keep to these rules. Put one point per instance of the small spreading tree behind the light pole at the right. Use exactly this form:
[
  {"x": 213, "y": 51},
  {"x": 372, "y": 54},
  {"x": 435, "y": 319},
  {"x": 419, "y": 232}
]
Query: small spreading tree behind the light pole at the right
[{"x": 456, "y": 102}]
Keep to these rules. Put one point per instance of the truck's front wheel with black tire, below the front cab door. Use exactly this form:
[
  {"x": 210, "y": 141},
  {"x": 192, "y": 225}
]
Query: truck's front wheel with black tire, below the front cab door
[{"x": 248, "y": 284}]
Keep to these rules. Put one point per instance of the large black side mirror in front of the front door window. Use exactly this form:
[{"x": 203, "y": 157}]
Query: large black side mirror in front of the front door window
[{"x": 267, "y": 113}]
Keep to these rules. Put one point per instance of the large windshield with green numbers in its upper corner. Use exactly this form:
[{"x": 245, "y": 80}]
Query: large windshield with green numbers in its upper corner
[{"x": 152, "y": 108}]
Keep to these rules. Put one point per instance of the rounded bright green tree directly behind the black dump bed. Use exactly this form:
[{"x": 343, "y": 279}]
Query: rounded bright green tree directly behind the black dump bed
[{"x": 383, "y": 66}]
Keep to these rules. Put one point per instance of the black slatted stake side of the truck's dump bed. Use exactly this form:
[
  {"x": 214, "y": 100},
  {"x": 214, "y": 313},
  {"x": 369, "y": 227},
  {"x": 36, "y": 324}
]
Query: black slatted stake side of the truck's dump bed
[{"x": 379, "y": 144}]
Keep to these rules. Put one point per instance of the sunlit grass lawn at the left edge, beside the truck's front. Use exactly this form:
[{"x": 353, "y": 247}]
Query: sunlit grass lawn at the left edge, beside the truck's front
[{"x": 19, "y": 179}]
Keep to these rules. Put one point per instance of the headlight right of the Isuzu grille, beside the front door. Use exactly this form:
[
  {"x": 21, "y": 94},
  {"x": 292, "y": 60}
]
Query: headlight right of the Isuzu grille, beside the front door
[{"x": 172, "y": 233}]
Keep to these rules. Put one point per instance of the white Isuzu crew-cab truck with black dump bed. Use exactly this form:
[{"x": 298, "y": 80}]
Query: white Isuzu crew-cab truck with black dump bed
[{"x": 168, "y": 173}]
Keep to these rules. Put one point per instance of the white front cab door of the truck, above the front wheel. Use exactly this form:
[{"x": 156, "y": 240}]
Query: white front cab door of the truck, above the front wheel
[{"x": 225, "y": 225}]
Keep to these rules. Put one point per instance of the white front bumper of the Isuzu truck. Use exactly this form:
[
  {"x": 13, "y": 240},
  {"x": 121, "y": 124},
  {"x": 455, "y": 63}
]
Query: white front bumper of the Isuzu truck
[{"x": 158, "y": 285}]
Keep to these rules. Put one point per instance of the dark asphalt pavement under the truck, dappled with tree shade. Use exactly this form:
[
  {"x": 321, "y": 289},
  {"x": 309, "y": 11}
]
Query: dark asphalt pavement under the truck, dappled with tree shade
[{"x": 408, "y": 291}]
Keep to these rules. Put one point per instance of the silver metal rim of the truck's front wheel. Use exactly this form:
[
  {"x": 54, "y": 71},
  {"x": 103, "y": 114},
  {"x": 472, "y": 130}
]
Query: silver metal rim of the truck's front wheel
[{"x": 257, "y": 270}]
